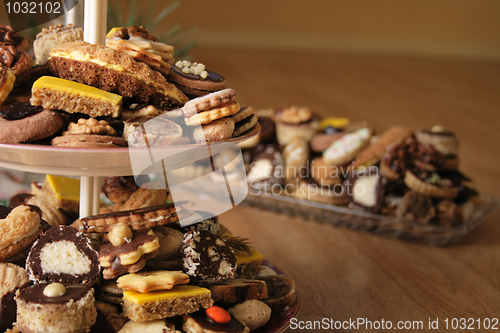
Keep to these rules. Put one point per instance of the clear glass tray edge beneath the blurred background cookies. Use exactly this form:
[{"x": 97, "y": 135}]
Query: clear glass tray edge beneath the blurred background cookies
[{"x": 485, "y": 205}]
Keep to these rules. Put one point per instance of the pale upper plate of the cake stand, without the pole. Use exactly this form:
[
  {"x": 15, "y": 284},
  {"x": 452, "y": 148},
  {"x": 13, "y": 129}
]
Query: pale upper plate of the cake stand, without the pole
[{"x": 102, "y": 162}]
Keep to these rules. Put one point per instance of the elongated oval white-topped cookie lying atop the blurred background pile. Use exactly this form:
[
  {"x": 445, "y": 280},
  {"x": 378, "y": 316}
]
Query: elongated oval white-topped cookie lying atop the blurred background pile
[{"x": 345, "y": 149}]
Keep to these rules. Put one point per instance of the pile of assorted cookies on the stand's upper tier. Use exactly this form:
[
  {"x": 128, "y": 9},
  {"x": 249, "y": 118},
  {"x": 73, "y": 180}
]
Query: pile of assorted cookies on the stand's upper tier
[{"x": 71, "y": 85}]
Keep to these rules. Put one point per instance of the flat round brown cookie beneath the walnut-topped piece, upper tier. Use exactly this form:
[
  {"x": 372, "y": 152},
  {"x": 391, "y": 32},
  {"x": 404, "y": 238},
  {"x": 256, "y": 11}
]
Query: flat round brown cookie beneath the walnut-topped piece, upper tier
[{"x": 88, "y": 141}]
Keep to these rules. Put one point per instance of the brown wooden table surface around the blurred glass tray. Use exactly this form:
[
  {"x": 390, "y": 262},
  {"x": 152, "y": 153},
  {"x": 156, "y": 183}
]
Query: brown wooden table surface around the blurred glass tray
[{"x": 343, "y": 274}]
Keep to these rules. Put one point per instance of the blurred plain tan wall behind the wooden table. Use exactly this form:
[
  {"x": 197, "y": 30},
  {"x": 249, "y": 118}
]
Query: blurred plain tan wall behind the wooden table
[{"x": 465, "y": 28}]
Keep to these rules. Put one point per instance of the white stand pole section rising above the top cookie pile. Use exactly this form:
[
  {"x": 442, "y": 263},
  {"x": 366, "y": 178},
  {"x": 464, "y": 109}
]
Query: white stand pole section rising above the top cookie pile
[{"x": 94, "y": 21}]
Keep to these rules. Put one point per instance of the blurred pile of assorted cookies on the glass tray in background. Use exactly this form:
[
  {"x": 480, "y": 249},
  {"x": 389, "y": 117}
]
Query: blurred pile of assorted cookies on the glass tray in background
[{"x": 408, "y": 174}]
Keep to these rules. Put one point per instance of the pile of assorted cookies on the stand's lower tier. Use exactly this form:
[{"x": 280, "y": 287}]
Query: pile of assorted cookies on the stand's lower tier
[{"x": 132, "y": 268}]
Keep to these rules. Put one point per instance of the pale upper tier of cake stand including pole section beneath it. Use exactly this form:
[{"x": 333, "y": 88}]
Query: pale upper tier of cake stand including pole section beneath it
[{"x": 91, "y": 164}]
